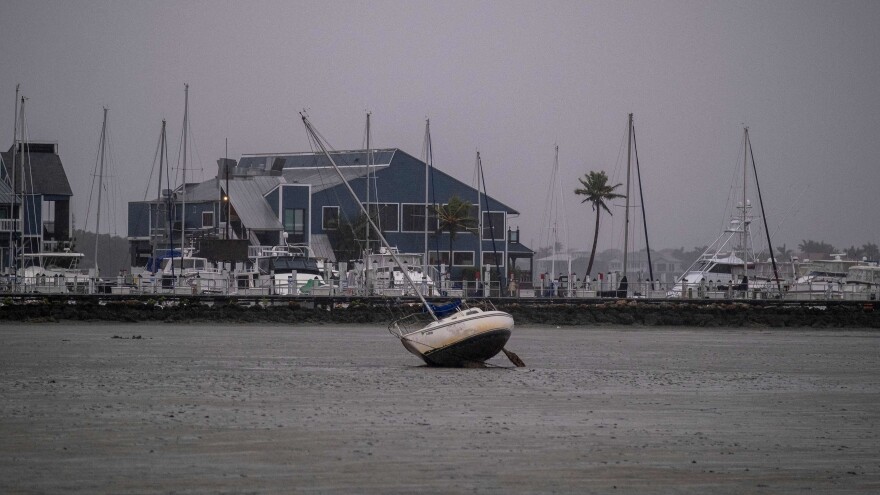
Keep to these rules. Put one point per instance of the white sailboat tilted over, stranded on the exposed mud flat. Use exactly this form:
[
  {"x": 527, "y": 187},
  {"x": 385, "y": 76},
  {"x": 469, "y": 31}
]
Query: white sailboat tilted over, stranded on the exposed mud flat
[{"x": 457, "y": 335}]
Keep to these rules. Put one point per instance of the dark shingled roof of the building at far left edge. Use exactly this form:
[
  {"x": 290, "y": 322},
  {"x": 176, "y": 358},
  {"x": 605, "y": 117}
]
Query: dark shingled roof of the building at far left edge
[{"x": 42, "y": 172}]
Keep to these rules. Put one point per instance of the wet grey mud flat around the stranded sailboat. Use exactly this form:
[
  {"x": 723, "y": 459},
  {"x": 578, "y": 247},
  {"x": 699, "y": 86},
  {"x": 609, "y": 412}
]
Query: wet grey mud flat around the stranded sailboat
[{"x": 153, "y": 408}]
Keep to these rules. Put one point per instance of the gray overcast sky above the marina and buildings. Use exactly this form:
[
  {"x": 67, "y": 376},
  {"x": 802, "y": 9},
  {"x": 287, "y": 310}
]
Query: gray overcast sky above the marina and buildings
[{"x": 507, "y": 78}]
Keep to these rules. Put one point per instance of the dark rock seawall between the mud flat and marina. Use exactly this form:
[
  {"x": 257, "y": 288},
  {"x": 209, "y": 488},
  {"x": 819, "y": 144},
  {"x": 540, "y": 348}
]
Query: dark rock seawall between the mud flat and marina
[{"x": 327, "y": 310}]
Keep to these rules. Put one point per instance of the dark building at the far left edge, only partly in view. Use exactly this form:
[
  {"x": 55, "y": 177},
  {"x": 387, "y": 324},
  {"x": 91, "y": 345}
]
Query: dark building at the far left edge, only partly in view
[{"x": 35, "y": 206}]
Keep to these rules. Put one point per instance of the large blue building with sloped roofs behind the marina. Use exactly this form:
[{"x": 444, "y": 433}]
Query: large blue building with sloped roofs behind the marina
[{"x": 299, "y": 198}]
